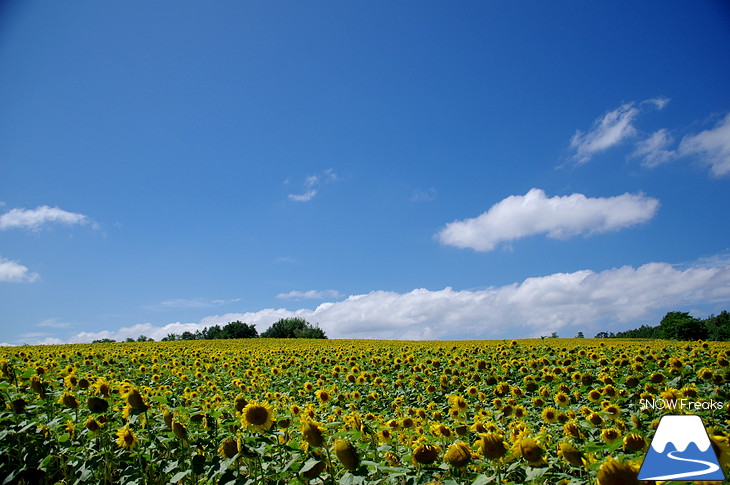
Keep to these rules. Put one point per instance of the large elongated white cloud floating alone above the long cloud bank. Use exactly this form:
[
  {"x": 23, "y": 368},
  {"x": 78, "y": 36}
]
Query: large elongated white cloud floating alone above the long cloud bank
[{"x": 558, "y": 217}]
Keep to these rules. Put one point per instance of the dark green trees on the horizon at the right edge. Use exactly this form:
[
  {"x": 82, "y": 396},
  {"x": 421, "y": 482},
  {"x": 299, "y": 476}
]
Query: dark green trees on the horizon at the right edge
[{"x": 681, "y": 326}]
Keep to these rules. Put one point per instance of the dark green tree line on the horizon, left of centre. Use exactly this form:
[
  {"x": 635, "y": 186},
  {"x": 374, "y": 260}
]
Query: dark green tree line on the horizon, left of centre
[{"x": 283, "y": 328}]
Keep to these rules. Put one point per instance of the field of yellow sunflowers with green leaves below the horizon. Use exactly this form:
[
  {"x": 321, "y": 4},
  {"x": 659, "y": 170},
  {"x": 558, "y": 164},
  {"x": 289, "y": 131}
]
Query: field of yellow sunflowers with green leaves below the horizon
[{"x": 553, "y": 411}]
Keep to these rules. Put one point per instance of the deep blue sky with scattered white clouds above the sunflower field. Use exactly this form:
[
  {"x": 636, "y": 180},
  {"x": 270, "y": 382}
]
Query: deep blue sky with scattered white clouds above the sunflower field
[{"x": 432, "y": 170}]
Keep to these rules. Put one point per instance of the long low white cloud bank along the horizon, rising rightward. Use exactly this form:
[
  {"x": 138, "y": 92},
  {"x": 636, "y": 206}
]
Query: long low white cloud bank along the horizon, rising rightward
[{"x": 562, "y": 302}]
